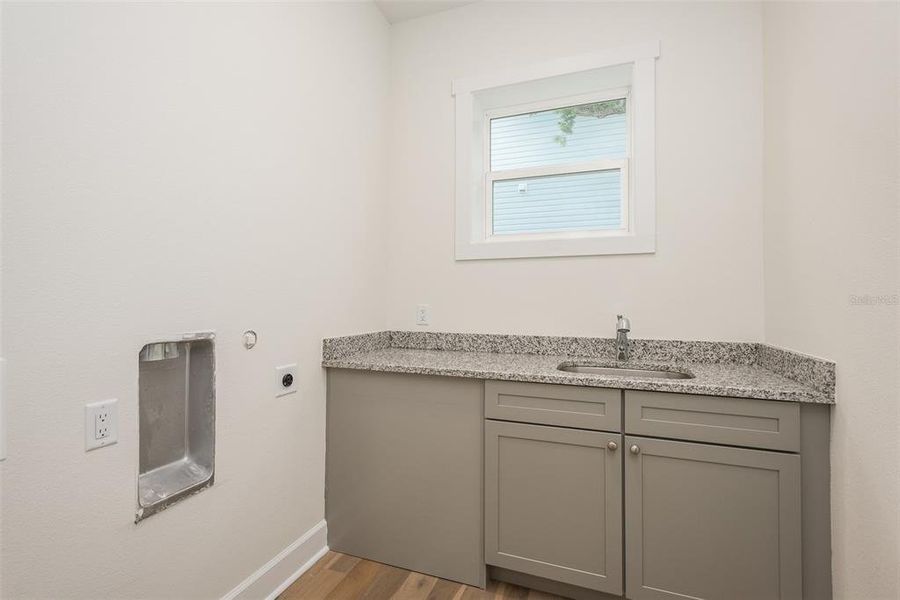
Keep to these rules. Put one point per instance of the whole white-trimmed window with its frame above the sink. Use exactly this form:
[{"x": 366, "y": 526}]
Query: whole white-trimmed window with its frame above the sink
[{"x": 557, "y": 159}]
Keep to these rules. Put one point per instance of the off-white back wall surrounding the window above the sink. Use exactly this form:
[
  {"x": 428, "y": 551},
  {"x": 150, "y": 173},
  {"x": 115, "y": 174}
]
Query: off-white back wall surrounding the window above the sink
[{"x": 705, "y": 280}]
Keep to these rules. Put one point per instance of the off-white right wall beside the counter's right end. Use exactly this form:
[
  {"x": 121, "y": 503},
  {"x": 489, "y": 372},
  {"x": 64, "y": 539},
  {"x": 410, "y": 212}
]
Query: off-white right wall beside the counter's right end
[{"x": 831, "y": 232}]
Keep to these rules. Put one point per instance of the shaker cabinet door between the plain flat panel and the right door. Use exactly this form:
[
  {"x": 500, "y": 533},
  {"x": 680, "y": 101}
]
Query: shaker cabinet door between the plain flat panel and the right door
[{"x": 553, "y": 503}]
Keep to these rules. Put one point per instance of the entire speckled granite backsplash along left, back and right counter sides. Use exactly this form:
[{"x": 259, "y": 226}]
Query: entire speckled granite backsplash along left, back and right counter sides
[{"x": 816, "y": 373}]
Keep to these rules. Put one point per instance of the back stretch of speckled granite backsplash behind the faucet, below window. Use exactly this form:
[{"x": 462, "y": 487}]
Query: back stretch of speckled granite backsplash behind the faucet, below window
[{"x": 743, "y": 353}]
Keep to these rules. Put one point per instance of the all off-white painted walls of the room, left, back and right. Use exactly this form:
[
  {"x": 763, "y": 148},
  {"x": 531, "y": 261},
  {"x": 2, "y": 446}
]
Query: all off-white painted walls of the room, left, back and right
[{"x": 179, "y": 167}]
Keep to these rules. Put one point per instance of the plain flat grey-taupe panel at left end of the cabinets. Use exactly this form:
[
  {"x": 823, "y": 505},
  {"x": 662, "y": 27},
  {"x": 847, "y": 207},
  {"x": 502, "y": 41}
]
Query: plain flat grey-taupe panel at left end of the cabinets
[{"x": 403, "y": 479}]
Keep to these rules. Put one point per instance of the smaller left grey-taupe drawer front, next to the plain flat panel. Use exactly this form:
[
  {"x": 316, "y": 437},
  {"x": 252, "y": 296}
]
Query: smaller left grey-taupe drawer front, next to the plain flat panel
[{"x": 546, "y": 404}]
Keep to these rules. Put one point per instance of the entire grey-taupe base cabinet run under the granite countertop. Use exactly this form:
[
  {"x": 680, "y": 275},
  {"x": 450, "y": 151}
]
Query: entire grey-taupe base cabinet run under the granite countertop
[{"x": 582, "y": 492}]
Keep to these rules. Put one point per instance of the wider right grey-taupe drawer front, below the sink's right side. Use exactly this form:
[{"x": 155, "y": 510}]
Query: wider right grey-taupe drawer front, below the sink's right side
[{"x": 733, "y": 421}]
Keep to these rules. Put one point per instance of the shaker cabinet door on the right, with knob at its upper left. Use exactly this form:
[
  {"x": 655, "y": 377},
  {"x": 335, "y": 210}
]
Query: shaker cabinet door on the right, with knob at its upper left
[{"x": 711, "y": 522}]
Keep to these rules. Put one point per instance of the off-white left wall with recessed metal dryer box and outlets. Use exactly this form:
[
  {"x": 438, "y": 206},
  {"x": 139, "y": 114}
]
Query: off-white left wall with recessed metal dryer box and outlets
[{"x": 170, "y": 168}]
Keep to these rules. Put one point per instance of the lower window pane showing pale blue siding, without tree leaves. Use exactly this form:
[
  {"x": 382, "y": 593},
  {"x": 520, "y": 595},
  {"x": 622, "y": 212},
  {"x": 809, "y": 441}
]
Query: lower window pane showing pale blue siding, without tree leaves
[{"x": 575, "y": 201}]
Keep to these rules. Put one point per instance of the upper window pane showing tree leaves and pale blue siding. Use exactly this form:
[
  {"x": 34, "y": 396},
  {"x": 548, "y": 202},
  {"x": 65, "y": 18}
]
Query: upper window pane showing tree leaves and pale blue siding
[{"x": 566, "y": 135}]
